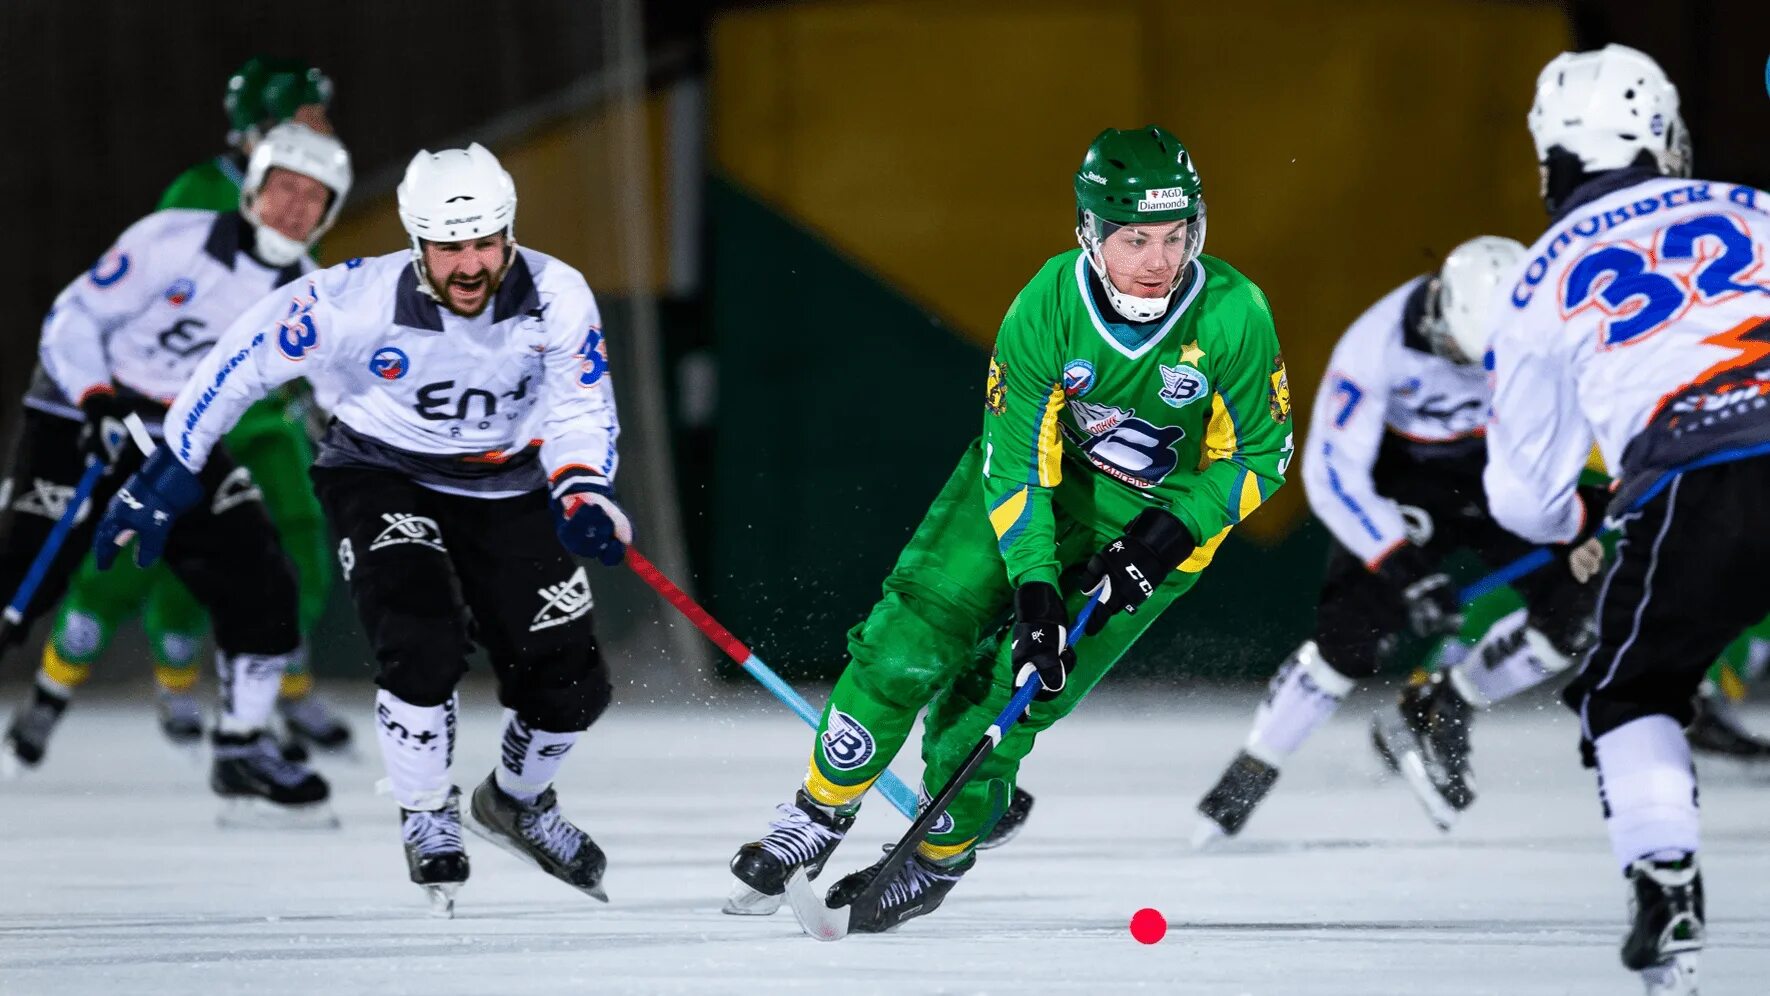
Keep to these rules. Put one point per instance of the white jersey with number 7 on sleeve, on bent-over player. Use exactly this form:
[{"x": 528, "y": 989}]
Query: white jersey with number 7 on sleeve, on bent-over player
[{"x": 1383, "y": 387}]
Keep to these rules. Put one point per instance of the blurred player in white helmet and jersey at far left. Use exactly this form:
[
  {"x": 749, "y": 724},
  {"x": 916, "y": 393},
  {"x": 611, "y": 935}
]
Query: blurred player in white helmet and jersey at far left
[{"x": 121, "y": 341}]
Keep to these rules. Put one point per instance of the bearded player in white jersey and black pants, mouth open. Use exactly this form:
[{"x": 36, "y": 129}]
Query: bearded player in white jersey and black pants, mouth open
[{"x": 472, "y": 448}]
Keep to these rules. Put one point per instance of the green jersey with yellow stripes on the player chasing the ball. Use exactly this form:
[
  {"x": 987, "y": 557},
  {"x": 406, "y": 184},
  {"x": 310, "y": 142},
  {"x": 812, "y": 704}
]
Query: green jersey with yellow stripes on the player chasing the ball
[{"x": 1189, "y": 413}]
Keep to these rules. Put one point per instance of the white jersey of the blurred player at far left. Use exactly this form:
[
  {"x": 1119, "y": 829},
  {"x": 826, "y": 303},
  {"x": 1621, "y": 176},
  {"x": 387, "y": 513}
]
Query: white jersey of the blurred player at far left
[{"x": 150, "y": 310}]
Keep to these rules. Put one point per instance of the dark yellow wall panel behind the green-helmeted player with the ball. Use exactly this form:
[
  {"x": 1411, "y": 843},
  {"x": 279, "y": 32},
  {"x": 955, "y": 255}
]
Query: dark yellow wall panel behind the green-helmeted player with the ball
[{"x": 1343, "y": 146}]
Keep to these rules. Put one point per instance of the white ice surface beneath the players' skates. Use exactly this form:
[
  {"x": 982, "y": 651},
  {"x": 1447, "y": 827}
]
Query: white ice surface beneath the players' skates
[{"x": 116, "y": 880}]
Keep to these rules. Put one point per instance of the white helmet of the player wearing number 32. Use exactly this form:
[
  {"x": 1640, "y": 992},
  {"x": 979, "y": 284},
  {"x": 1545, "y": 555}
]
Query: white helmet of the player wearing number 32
[{"x": 1606, "y": 107}]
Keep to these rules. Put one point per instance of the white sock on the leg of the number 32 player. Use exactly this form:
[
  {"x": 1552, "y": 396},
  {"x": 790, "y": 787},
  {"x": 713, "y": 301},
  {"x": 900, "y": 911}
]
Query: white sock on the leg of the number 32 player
[{"x": 1649, "y": 790}]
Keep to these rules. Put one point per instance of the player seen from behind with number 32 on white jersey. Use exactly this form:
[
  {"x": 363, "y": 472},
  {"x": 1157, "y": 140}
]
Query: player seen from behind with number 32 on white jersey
[{"x": 1642, "y": 318}]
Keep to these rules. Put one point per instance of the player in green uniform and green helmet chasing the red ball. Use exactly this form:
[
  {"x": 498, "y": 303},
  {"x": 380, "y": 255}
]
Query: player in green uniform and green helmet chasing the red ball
[{"x": 1135, "y": 411}]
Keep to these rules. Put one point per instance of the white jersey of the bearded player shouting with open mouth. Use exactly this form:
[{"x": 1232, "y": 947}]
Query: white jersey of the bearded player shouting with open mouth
[{"x": 458, "y": 404}]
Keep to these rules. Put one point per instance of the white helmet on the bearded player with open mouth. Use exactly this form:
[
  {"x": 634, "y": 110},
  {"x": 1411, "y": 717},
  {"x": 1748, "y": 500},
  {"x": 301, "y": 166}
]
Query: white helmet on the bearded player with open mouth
[{"x": 456, "y": 195}]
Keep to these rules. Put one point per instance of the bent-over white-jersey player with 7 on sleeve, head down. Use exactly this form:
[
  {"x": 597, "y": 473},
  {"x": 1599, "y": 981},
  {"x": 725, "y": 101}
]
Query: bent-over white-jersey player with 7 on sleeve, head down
[{"x": 1394, "y": 468}]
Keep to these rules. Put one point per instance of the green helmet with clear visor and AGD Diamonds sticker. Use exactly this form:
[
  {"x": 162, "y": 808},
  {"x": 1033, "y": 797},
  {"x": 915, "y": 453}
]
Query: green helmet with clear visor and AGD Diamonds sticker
[{"x": 1139, "y": 178}]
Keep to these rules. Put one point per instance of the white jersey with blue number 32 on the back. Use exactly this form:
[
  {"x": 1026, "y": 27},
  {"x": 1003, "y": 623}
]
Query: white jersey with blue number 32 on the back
[{"x": 1638, "y": 323}]
